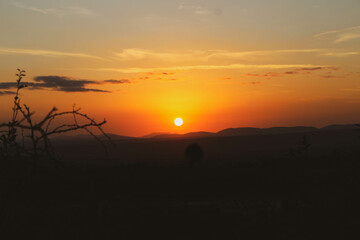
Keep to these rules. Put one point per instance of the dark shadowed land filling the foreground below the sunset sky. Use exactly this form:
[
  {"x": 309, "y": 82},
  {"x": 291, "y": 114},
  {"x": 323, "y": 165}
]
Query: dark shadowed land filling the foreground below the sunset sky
[{"x": 255, "y": 187}]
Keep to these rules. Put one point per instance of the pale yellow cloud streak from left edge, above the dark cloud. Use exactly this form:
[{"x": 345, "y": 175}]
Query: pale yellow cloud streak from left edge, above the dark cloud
[{"x": 45, "y": 53}]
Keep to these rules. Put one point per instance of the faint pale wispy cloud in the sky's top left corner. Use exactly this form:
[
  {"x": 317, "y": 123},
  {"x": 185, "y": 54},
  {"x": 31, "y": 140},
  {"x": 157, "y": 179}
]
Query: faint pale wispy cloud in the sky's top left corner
[{"x": 70, "y": 10}]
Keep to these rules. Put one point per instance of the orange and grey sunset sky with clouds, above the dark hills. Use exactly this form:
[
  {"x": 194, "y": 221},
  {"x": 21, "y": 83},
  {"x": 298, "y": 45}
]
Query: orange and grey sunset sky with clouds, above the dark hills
[{"x": 215, "y": 63}]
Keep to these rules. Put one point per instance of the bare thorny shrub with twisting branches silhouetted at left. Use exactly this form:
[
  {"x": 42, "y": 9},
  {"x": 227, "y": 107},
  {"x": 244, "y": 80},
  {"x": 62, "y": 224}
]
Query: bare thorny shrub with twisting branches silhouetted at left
[{"x": 39, "y": 132}]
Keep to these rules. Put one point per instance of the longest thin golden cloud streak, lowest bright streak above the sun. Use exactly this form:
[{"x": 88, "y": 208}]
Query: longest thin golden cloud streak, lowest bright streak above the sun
[{"x": 202, "y": 67}]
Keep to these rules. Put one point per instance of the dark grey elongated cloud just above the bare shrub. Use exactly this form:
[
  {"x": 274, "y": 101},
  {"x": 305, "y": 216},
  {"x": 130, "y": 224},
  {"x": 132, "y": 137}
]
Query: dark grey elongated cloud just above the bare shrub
[{"x": 61, "y": 84}]
